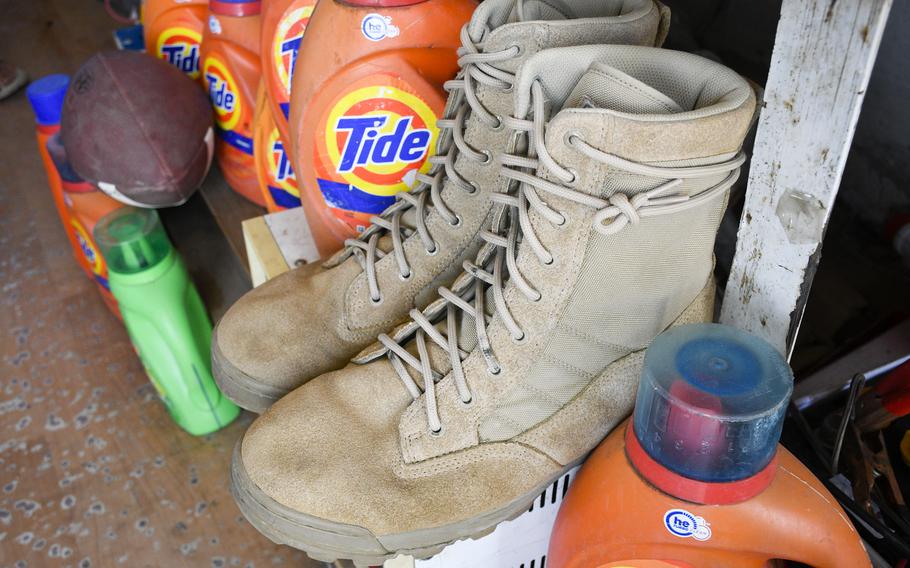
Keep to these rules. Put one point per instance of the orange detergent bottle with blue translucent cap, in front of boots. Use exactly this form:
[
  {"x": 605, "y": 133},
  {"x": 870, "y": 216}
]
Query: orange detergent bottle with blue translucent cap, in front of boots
[{"x": 697, "y": 478}]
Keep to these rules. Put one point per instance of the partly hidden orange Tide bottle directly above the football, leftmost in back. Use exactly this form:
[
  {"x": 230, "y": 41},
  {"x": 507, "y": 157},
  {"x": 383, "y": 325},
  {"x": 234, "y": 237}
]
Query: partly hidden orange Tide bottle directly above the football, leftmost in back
[{"x": 173, "y": 31}]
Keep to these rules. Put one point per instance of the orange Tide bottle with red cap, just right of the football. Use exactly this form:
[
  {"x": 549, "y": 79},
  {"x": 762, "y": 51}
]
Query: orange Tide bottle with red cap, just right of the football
[{"x": 230, "y": 71}]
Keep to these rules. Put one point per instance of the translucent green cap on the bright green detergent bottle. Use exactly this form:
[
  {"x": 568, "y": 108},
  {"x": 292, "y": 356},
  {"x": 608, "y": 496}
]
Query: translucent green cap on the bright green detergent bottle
[{"x": 131, "y": 240}]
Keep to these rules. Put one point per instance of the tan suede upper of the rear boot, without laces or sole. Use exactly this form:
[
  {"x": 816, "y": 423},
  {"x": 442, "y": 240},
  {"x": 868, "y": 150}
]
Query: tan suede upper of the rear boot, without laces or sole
[{"x": 308, "y": 322}]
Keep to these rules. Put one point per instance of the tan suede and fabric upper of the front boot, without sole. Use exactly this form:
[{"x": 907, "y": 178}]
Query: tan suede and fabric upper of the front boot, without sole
[{"x": 354, "y": 447}]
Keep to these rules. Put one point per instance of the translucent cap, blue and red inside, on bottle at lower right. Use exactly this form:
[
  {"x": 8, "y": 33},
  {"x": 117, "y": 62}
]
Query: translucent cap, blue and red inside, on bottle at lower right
[{"x": 711, "y": 402}]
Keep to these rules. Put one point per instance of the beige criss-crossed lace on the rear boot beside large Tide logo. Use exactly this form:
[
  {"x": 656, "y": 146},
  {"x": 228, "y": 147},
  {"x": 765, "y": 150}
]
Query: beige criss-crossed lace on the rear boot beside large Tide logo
[{"x": 477, "y": 68}]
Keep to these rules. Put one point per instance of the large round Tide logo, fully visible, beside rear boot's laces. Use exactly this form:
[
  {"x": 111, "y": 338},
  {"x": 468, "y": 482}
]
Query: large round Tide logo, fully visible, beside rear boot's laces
[{"x": 379, "y": 137}]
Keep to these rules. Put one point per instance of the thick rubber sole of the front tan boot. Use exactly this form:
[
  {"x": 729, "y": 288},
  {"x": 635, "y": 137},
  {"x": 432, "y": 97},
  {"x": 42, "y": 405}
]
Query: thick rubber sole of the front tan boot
[{"x": 328, "y": 541}]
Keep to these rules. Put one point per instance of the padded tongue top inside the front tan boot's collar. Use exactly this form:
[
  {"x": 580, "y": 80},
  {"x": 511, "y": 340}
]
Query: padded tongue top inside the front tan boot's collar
[{"x": 606, "y": 87}]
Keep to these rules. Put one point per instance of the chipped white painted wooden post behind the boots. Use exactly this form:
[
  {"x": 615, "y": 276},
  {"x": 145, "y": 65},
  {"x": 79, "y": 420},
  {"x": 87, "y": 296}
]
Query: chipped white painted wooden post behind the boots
[{"x": 823, "y": 56}]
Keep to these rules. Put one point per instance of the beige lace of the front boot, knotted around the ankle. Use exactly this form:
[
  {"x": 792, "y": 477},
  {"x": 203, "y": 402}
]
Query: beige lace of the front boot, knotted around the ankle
[{"x": 497, "y": 259}]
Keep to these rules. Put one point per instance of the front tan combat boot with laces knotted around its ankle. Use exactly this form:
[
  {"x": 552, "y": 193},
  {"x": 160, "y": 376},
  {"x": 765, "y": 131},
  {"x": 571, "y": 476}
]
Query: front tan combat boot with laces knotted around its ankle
[{"x": 515, "y": 373}]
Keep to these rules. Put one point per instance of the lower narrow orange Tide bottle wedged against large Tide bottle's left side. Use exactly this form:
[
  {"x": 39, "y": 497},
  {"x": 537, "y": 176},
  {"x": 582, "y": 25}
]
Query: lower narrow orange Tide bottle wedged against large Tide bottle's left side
[{"x": 273, "y": 167}]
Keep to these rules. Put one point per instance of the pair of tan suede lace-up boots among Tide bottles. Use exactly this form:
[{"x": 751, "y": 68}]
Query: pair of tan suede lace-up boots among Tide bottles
[{"x": 488, "y": 330}]
